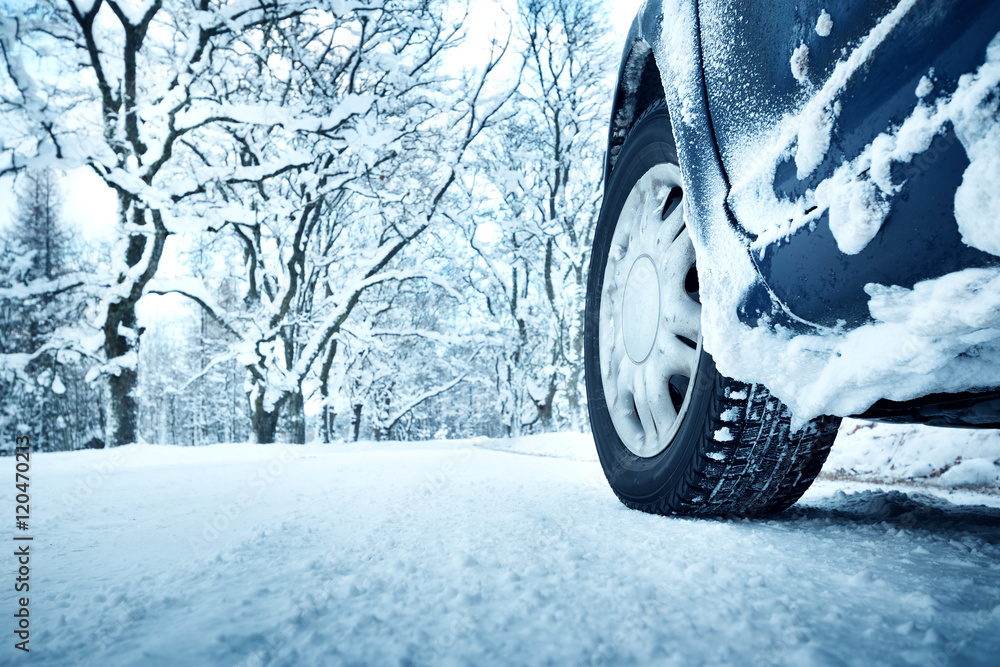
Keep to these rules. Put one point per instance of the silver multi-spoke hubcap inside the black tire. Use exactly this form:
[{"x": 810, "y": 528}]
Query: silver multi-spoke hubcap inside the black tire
[{"x": 650, "y": 327}]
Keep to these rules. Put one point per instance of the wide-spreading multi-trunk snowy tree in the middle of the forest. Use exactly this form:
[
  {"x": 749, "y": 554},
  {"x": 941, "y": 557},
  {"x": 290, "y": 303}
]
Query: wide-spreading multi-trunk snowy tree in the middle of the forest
[{"x": 319, "y": 235}]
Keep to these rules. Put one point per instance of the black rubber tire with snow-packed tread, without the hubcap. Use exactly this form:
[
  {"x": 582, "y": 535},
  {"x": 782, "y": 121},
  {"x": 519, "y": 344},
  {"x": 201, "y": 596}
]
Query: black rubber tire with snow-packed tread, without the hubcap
[{"x": 765, "y": 467}]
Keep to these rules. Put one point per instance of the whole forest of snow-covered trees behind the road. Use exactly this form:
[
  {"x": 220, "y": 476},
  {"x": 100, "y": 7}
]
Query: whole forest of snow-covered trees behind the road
[{"x": 336, "y": 220}]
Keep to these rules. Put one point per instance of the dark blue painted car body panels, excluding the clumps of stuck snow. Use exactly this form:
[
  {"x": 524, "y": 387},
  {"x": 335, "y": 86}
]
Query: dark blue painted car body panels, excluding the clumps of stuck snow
[{"x": 804, "y": 281}]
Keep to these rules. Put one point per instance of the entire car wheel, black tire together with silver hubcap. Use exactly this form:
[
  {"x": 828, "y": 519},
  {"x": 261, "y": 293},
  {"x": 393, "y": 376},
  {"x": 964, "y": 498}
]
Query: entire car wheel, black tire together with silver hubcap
[{"x": 674, "y": 436}]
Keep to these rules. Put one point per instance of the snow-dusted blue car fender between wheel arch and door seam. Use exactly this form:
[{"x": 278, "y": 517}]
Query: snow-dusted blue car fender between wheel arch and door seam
[{"x": 657, "y": 37}]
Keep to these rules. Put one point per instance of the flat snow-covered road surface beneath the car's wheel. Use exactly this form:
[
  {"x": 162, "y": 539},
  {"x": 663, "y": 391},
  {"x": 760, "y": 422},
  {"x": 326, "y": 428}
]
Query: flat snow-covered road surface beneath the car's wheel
[{"x": 461, "y": 554}]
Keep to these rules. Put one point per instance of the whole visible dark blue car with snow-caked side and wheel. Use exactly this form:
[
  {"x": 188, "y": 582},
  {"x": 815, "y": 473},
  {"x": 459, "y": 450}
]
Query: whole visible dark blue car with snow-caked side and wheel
[{"x": 801, "y": 222}]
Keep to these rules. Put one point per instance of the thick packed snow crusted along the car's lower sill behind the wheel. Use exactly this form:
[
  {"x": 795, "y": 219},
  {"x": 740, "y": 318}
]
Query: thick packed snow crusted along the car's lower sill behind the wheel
[{"x": 941, "y": 336}]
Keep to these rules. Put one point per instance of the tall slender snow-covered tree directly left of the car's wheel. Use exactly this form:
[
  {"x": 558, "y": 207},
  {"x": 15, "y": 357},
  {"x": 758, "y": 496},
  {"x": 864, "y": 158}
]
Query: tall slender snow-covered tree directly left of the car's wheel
[{"x": 546, "y": 166}]
